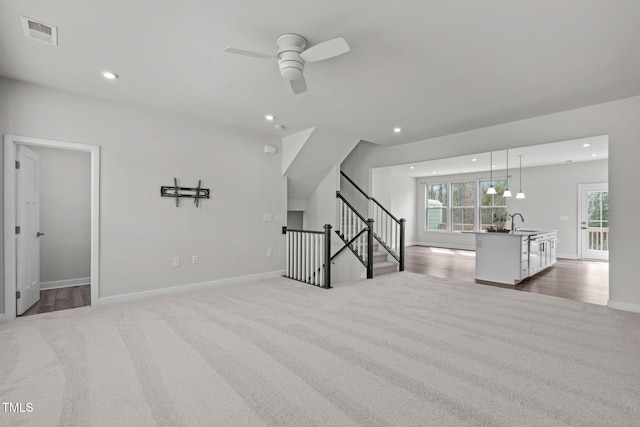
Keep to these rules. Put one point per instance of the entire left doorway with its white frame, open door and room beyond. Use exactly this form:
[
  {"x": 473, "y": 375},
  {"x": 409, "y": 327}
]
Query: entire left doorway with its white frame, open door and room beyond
[{"x": 77, "y": 256}]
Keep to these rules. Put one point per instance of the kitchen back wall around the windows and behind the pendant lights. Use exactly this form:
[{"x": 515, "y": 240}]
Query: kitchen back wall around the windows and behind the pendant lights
[{"x": 552, "y": 192}]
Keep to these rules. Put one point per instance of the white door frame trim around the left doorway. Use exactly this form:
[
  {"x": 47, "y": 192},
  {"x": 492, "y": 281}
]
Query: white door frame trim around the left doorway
[{"x": 10, "y": 256}]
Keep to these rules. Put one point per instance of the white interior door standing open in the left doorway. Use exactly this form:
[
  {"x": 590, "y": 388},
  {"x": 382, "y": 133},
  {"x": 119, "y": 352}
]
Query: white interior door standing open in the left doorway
[{"x": 28, "y": 219}]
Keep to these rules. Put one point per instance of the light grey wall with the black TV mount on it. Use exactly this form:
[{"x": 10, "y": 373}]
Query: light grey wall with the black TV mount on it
[{"x": 142, "y": 149}]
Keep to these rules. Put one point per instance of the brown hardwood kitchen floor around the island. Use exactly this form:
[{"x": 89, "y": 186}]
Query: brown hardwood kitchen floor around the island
[{"x": 585, "y": 281}]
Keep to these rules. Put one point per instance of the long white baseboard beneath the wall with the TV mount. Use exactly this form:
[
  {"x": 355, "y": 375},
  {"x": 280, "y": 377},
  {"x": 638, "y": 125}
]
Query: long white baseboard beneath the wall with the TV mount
[{"x": 137, "y": 296}]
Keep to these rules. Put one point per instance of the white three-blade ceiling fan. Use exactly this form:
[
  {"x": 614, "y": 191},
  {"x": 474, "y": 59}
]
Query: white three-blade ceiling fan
[{"x": 293, "y": 54}]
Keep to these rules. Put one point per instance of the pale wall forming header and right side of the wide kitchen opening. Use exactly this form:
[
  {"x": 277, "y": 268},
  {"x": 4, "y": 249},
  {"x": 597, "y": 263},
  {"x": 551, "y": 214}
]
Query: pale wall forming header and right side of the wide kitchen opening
[{"x": 618, "y": 120}]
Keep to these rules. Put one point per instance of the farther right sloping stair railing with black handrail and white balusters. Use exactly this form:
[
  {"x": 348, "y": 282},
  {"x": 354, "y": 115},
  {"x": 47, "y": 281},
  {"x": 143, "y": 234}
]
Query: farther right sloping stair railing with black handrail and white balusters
[{"x": 388, "y": 230}]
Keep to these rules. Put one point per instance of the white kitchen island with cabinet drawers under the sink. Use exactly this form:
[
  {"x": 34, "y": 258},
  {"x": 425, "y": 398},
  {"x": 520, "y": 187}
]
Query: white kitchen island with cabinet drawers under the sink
[{"x": 510, "y": 258}]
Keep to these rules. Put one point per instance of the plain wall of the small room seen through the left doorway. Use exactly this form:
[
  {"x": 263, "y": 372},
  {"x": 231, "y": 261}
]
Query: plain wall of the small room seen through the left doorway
[{"x": 65, "y": 214}]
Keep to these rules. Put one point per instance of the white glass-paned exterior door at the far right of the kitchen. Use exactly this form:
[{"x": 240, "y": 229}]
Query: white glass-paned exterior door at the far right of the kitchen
[{"x": 594, "y": 221}]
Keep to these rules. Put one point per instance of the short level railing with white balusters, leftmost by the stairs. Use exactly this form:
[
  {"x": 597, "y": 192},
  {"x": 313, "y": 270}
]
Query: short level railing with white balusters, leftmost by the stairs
[{"x": 308, "y": 256}]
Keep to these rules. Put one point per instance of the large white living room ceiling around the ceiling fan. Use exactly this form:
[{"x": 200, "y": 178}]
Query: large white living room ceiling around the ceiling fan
[{"x": 432, "y": 67}]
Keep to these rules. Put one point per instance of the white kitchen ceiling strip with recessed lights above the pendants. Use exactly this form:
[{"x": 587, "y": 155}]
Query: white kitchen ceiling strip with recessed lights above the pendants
[{"x": 555, "y": 153}]
